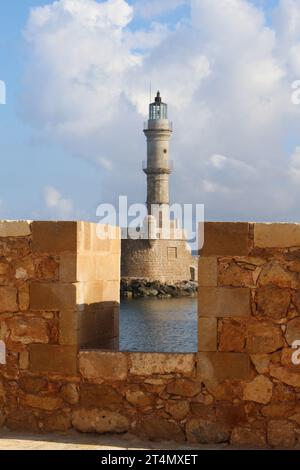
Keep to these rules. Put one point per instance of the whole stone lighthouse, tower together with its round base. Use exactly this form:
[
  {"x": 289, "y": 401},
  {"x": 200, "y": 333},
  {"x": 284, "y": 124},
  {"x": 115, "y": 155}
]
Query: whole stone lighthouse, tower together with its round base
[{"x": 161, "y": 252}]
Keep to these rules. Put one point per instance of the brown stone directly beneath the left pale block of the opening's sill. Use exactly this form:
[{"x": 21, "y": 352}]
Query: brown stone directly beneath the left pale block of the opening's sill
[{"x": 101, "y": 396}]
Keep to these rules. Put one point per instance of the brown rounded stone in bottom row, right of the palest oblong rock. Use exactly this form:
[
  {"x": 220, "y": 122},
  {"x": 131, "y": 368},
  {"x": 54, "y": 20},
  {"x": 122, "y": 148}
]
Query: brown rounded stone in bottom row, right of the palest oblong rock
[{"x": 155, "y": 428}]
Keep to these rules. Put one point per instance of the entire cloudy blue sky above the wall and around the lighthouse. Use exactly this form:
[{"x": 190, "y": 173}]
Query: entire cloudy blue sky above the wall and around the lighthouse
[{"x": 77, "y": 75}]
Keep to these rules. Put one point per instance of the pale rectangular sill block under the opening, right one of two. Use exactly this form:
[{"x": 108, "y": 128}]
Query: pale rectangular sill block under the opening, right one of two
[{"x": 161, "y": 363}]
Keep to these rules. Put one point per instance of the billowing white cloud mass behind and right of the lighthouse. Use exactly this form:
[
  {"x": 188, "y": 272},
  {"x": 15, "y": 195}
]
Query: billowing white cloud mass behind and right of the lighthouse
[{"x": 226, "y": 75}]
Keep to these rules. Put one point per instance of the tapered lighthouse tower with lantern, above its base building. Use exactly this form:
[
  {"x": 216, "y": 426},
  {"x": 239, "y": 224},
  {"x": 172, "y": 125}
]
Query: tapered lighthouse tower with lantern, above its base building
[{"x": 158, "y": 133}]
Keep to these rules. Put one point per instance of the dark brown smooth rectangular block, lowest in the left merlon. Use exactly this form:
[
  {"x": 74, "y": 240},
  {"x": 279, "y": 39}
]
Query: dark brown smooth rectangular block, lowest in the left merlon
[{"x": 50, "y": 358}]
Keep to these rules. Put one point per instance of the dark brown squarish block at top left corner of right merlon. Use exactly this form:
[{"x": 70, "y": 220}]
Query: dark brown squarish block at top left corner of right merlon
[{"x": 225, "y": 239}]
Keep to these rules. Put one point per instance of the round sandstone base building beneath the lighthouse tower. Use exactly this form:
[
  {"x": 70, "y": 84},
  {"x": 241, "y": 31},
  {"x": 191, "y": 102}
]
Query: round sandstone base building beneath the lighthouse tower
[{"x": 155, "y": 261}]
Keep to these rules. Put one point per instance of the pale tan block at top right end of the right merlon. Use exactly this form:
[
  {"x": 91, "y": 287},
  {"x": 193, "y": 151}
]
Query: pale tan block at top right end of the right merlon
[{"x": 276, "y": 235}]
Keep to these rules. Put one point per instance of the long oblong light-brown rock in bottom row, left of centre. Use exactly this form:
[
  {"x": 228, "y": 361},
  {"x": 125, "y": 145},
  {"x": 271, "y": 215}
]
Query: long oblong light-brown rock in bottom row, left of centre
[{"x": 99, "y": 421}]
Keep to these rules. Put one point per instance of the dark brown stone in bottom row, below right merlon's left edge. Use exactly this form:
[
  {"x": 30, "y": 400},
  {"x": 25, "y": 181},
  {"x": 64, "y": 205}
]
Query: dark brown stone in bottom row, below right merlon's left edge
[{"x": 206, "y": 432}]
